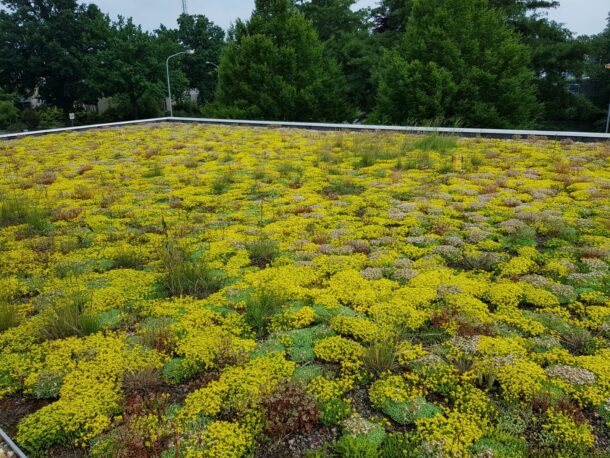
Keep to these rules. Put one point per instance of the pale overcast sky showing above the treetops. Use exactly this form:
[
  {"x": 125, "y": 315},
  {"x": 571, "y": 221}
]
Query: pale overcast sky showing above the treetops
[{"x": 585, "y": 17}]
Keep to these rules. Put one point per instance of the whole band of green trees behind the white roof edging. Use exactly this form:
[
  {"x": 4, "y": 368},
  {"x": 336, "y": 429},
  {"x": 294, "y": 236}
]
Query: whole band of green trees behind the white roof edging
[{"x": 495, "y": 63}]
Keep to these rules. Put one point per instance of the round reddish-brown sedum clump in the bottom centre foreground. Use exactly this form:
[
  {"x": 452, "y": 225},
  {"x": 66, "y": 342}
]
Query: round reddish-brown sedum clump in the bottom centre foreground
[{"x": 288, "y": 409}]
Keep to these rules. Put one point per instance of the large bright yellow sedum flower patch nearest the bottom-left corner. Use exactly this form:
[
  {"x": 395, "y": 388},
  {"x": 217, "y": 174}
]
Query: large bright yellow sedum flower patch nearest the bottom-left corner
[{"x": 92, "y": 370}]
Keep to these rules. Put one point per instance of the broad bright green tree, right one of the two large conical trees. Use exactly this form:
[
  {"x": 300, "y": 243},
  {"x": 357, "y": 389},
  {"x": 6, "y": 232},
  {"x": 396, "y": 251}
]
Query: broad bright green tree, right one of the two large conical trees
[{"x": 462, "y": 64}]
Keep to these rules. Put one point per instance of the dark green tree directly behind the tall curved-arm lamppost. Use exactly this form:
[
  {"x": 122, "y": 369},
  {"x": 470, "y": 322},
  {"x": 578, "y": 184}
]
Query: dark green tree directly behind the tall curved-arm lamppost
[{"x": 131, "y": 67}]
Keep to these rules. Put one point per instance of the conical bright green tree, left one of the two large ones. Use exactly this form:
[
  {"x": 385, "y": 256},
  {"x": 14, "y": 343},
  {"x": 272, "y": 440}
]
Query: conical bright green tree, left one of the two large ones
[{"x": 274, "y": 67}]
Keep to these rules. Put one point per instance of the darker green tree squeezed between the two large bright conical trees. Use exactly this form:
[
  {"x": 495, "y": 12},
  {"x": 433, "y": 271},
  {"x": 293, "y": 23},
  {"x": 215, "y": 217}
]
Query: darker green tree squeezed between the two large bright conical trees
[{"x": 345, "y": 33}]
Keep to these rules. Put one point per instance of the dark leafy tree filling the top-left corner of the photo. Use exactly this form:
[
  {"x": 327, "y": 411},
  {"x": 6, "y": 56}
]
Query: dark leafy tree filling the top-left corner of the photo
[{"x": 45, "y": 46}]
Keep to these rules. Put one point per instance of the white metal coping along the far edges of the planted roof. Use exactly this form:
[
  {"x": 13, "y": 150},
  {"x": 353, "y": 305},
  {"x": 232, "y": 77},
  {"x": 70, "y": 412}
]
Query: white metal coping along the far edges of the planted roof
[{"x": 467, "y": 132}]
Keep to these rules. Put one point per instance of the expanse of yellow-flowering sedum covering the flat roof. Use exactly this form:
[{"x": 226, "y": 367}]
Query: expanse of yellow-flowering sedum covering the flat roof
[{"x": 361, "y": 263}]
